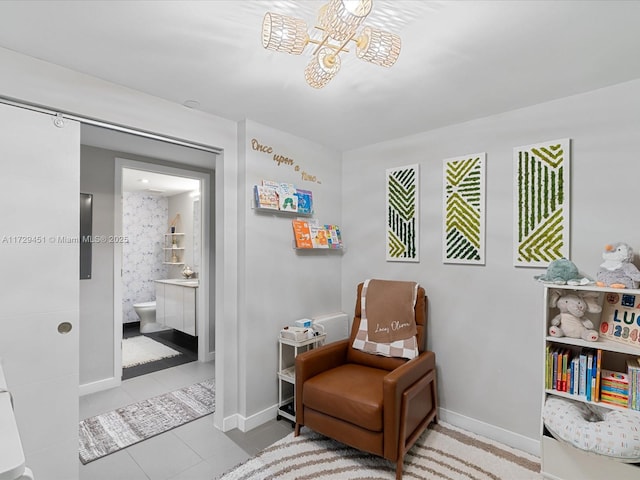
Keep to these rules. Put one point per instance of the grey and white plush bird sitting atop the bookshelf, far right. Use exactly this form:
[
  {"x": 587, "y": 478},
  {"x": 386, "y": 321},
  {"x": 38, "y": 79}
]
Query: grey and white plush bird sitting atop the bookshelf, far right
[{"x": 617, "y": 270}]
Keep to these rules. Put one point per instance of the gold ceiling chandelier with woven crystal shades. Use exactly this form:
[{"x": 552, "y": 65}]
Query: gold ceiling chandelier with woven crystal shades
[{"x": 338, "y": 21}]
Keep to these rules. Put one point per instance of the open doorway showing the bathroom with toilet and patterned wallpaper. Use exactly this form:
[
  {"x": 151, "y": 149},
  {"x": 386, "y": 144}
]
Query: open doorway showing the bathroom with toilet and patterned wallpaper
[{"x": 160, "y": 295}]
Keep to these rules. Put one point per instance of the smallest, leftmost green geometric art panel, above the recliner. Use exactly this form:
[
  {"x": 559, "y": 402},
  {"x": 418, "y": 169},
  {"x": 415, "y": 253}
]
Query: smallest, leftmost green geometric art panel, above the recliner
[{"x": 402, "y": 196}]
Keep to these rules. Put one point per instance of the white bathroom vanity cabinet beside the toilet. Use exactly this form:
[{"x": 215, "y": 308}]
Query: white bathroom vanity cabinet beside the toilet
[{"x": 176, "y": 304}]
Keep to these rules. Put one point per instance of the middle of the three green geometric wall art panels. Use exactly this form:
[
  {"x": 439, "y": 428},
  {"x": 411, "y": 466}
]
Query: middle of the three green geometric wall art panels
[{"x": 463, "y": 209}]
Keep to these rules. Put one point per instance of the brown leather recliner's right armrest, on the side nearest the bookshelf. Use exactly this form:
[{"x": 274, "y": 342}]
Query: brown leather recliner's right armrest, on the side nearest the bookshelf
[{"x": 394, "y": 385}]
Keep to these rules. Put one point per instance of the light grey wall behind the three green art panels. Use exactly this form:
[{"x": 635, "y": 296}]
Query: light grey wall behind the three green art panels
[{"x": 485, "y": 321}]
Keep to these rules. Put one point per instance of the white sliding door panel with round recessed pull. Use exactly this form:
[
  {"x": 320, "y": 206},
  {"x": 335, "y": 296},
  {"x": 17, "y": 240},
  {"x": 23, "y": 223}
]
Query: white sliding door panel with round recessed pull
[{"x": 39, "y": 198}]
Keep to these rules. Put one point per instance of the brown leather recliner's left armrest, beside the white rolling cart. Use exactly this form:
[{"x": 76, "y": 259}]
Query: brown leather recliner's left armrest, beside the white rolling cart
[{"x": 315, "y": 361}]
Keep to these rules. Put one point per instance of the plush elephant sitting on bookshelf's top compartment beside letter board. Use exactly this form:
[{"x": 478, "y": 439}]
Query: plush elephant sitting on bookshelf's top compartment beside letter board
[{"x": 571, "y": 321}]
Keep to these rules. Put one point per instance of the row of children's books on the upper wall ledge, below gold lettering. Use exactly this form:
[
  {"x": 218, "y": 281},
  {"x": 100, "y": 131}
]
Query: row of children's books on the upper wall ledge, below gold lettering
[{"x": 284, "y": 197}]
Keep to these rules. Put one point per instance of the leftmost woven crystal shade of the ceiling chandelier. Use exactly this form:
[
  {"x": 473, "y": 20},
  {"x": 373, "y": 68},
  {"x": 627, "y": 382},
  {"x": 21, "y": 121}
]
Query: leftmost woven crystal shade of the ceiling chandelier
[{"x": 284, "y": 34}]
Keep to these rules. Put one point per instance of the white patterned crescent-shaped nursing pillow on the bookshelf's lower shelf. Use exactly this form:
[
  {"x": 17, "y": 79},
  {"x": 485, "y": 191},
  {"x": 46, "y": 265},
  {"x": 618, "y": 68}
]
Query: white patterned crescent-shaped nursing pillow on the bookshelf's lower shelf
[{"x": 613, "y": 433}]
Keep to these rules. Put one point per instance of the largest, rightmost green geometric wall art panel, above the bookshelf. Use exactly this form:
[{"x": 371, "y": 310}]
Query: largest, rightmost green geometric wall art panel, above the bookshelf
[{"x": 541, "y": 203}]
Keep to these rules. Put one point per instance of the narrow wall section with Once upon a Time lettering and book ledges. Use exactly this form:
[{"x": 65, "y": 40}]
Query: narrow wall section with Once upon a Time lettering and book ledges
[{"x": 280, "y": 284}]
